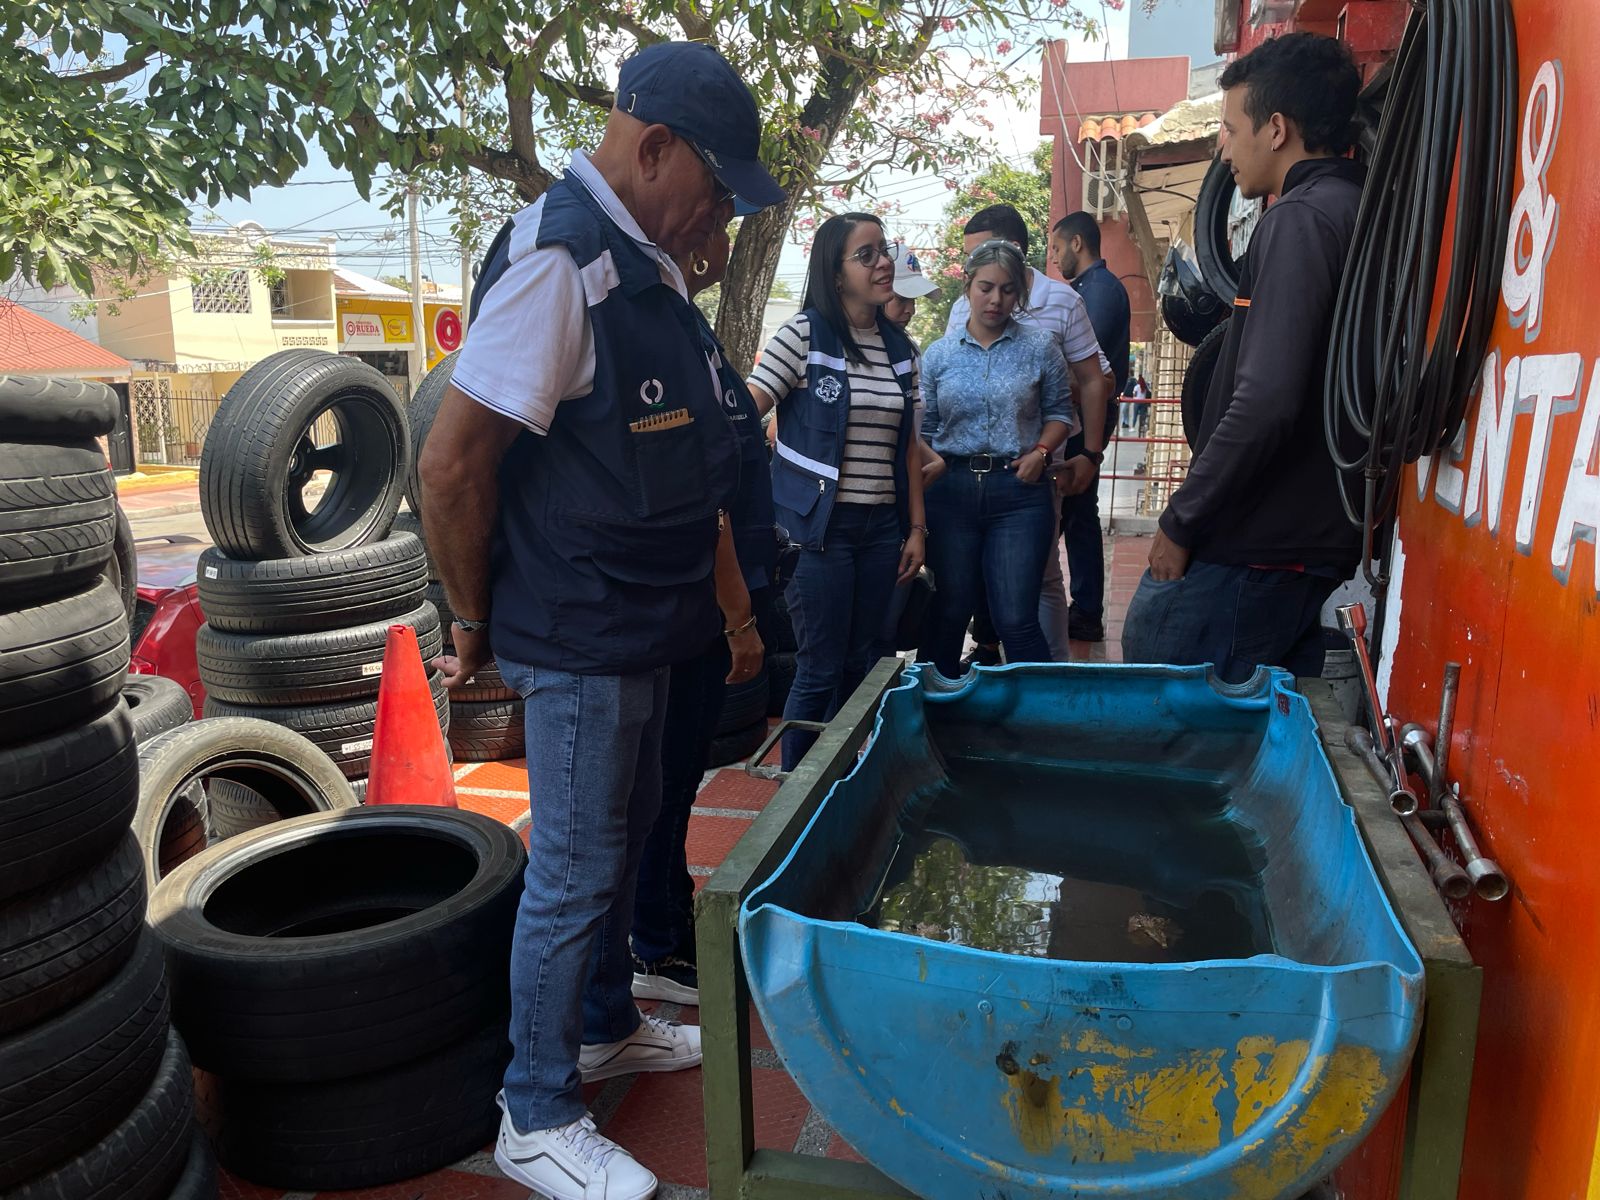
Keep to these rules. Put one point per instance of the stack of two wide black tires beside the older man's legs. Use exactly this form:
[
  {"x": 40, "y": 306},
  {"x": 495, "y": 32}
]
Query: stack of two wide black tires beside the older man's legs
[{"x": 342, "y": 978}]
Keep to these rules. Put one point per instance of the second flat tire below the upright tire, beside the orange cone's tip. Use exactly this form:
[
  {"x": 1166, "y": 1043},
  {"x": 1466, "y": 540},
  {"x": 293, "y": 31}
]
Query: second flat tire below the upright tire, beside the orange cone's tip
[{"x": 335, "y": 665}]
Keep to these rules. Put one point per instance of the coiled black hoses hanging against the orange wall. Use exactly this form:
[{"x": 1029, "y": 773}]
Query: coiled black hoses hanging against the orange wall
[{"x": 1401, "y": 377}]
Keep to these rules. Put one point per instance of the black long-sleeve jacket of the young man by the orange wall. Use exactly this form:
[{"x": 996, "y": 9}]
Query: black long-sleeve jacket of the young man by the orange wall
[{"x": 1263, "y": 489}]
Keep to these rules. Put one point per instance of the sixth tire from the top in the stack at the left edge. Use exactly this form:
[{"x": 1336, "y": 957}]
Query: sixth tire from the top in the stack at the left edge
[{"x": 71, "y": 1079}]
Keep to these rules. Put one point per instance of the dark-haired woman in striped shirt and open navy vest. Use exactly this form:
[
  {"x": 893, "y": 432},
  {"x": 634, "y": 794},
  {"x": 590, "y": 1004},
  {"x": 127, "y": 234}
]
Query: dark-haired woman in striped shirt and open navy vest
[{"x": 847, "y": 470}]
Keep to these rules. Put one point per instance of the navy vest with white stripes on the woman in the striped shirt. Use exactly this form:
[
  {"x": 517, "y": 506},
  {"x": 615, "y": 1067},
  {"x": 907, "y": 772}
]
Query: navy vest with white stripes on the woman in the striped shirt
[{"x": 812, "y": 433}]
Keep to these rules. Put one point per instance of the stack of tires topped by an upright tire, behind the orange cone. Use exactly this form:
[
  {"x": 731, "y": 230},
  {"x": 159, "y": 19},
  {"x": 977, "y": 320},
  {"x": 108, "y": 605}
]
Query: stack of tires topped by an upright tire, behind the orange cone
[{"x": 300, "y": 596}]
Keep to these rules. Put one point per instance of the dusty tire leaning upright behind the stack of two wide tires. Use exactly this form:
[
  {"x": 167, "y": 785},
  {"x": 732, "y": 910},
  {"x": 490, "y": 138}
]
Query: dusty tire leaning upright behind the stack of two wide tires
[{"x": 274, "y": 766}]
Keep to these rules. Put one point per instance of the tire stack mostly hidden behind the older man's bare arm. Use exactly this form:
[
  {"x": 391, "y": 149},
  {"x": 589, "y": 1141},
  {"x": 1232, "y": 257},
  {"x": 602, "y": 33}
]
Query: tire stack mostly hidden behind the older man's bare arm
[{"x": 486, "y": 716}]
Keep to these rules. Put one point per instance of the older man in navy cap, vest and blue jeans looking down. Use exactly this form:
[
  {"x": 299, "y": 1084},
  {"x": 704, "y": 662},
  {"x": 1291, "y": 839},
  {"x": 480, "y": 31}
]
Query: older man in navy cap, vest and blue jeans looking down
[{"x": 574, "y": 481}]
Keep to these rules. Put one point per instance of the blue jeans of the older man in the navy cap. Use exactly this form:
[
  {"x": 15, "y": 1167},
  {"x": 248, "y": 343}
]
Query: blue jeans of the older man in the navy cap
[{"x": 594, "y": 785}]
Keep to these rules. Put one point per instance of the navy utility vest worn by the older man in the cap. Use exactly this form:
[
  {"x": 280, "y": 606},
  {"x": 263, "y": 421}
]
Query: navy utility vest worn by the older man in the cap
[{"x": 607, "y": 532}]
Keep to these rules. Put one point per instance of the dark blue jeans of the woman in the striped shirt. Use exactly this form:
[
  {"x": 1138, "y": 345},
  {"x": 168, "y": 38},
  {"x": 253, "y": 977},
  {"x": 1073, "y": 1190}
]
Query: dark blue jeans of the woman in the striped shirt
[{"x": 838, "y": 601}]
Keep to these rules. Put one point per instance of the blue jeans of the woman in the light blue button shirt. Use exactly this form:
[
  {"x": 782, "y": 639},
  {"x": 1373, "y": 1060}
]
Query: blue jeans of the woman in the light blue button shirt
[{"x": 990, "y": 537}]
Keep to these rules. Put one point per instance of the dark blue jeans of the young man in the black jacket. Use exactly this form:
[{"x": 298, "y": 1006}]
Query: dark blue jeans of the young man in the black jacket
[{"x": 1236, "y": 618}]
